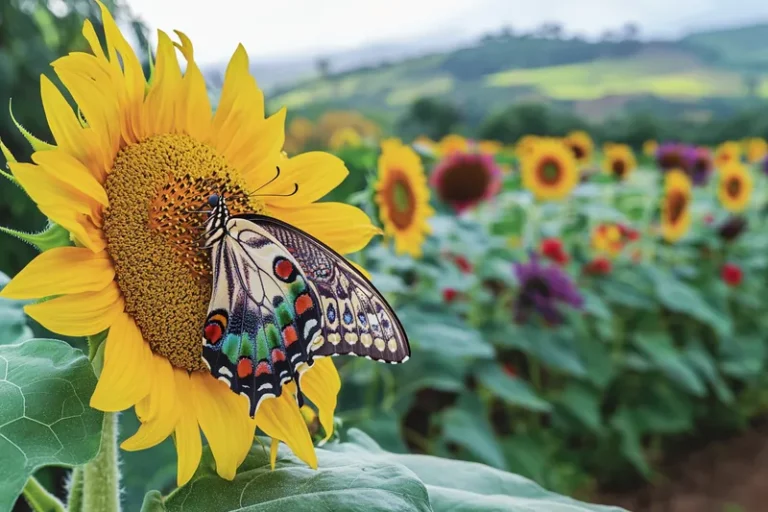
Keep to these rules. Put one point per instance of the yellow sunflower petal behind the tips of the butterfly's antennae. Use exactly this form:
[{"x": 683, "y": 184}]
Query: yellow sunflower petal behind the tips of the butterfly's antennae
[{"x": 316, "y": 174}]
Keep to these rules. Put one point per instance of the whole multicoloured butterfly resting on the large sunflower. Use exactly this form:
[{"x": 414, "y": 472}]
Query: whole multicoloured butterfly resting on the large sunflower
[{"x": 280, "y": 299}]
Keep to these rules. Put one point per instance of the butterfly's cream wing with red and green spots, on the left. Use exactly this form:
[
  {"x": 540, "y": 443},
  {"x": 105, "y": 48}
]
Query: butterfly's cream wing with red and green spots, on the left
[{"x": 262, "y": 315}]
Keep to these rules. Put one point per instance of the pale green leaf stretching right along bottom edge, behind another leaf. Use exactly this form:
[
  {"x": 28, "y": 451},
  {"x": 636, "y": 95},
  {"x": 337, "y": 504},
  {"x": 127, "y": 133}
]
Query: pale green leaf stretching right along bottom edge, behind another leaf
[{"x": 459, "y": 486}]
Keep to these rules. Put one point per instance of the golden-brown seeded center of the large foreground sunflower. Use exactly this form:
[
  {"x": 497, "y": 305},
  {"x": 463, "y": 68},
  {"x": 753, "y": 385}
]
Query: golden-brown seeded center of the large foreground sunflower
[{"x": 157, "y": 194}]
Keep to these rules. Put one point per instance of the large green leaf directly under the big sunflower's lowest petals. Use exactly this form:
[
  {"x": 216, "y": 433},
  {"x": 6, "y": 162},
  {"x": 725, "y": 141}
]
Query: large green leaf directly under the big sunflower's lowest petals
[{"x": 342, "y": 483}]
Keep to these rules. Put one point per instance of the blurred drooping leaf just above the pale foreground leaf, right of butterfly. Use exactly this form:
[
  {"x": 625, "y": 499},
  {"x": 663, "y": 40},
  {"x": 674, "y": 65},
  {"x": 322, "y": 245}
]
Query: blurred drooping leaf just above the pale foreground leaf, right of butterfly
[{"x": 467, "y": 425}]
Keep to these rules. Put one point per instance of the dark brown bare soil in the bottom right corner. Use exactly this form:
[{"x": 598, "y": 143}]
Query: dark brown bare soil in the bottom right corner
[{"x": 729, "y": 475}]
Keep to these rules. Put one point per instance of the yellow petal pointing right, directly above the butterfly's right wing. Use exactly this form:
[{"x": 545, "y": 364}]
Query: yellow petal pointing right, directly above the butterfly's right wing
[{"x": 343, "y": 227}]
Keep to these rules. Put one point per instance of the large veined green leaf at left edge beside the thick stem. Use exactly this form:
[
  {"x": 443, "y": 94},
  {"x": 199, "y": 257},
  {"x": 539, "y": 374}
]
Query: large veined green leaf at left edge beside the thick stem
[{"x": 45, "y": 386}]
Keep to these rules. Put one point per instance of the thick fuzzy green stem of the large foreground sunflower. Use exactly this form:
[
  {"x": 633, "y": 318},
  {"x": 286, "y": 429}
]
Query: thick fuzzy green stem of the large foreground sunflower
[{"x": 101, "y": 484}]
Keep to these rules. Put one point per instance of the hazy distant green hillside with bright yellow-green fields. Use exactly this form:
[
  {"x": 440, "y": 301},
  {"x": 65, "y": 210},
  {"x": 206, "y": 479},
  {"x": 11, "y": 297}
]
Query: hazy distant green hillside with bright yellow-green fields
[{"x": 499, "y": 70}]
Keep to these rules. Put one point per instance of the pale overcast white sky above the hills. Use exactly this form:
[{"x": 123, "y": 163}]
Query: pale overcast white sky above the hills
[{"x": 277, "y": 29}]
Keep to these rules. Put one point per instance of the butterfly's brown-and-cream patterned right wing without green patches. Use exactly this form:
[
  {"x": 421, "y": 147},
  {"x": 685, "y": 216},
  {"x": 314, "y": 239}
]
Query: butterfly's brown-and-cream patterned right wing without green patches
[{"x": 356, "y": 319}]
